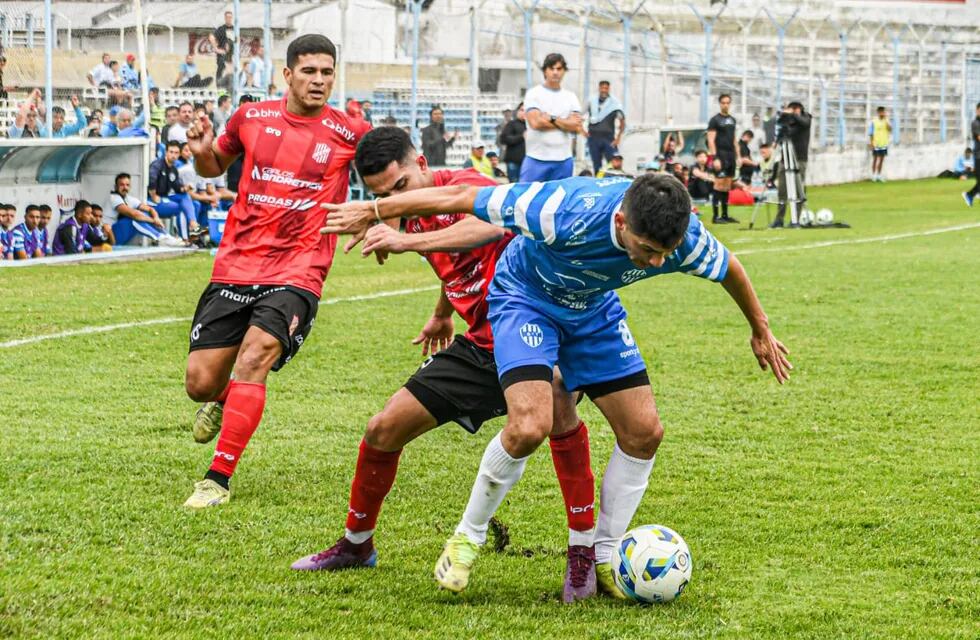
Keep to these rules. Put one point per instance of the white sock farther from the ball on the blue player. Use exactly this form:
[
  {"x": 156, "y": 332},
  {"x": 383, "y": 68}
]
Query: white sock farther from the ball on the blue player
[{"x": 498, "y": 473}]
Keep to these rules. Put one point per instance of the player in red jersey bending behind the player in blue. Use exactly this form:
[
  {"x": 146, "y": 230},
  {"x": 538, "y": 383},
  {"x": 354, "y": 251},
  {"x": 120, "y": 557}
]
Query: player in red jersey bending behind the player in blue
[{"x": 458, "y": 383}]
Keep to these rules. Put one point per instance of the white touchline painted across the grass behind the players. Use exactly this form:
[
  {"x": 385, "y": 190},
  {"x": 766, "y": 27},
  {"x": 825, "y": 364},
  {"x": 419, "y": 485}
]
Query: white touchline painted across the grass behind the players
[{"x": 403, "y": 292}]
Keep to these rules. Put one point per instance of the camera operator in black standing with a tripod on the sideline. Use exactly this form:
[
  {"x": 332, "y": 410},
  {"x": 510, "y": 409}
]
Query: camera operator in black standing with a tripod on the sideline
[{"x": 792, "y": 148}]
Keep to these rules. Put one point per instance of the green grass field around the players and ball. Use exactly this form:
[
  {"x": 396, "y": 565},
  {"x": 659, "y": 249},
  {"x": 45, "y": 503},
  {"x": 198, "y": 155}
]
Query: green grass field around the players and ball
[{"x": 845, "y": 504}]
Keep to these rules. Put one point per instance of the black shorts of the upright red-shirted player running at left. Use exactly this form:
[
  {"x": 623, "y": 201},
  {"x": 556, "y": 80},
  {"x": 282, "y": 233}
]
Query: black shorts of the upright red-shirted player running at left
[{"x": 226, "y": 311}]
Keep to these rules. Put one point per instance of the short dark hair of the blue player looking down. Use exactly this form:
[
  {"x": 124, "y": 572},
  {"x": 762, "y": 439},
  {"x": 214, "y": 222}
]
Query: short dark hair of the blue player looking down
[{"x": 658, "y": 207}]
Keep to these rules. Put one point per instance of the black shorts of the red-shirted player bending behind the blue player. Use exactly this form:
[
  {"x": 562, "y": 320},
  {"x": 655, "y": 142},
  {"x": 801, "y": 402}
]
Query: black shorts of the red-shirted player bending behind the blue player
[{"x": 459, "y": 384}]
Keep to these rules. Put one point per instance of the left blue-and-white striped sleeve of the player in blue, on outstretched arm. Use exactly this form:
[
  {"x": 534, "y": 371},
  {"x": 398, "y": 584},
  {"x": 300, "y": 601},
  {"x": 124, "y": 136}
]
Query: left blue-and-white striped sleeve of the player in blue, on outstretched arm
[{"x": 528, "y": 208}]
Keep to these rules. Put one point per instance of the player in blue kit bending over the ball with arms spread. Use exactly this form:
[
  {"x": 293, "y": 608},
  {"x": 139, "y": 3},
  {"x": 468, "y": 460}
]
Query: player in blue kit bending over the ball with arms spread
[{"x": 552, "y": 301}]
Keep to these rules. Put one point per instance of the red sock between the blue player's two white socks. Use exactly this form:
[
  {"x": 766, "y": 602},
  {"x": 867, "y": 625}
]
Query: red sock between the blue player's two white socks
[{"x": 570, "y": 453}]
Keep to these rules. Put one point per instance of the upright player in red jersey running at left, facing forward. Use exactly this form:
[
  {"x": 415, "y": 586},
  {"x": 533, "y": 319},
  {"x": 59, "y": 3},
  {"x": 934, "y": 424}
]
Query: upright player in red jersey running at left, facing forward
[{"x": 268, "y": 275}]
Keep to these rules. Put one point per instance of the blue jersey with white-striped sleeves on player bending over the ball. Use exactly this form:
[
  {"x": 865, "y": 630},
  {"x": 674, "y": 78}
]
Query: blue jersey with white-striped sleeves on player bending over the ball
[{"x": 567, "y": 252}]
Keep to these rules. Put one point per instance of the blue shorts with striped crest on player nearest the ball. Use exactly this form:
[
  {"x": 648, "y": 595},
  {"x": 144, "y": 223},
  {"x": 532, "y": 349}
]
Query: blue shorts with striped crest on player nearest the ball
[{"x": 590, "y": 347}]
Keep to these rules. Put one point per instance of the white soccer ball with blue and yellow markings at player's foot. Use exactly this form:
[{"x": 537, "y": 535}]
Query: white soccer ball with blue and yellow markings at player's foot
[{"x": 651, "y": 564}]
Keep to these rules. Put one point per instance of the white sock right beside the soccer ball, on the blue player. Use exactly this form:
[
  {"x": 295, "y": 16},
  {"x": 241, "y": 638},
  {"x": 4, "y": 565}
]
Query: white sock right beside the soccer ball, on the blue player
[{"x": 623, "y": 486}]
